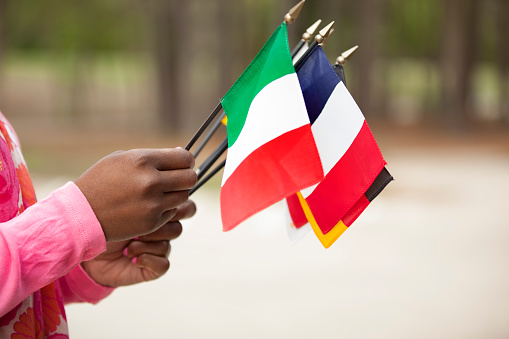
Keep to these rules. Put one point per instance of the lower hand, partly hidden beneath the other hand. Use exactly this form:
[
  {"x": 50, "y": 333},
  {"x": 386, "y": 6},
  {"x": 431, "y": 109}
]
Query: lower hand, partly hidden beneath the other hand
[{"x": 112, "y": 268}]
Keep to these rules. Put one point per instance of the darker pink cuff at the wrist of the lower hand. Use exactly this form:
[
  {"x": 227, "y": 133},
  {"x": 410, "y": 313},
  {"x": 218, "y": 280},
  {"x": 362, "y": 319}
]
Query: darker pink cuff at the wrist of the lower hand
[{"x": 77, "y": 286}]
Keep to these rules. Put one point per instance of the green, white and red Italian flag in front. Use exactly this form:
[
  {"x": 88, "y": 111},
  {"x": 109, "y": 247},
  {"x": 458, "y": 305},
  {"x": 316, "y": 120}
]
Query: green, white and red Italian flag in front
[{"x": 271, "y": 149}]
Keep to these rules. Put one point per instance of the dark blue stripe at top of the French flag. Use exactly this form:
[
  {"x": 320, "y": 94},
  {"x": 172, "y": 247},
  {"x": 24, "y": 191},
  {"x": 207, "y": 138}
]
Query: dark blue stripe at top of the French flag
[{"x": 317, "y": 80}]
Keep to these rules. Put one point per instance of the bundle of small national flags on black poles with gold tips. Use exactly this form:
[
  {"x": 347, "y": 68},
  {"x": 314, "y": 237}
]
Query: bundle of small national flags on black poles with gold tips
[{"x": 294, "y": 133}]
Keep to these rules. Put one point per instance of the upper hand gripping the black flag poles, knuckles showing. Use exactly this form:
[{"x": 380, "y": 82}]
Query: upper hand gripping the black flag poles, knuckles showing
[{"x": 135, "y": 192}]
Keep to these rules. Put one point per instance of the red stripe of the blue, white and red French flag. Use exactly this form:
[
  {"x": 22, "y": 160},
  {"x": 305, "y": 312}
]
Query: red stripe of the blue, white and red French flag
[{"x": 347, "y": 181}]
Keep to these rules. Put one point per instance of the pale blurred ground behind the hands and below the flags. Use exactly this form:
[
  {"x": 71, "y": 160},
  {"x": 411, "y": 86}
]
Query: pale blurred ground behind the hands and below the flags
[{"x": 429, "y": 258}]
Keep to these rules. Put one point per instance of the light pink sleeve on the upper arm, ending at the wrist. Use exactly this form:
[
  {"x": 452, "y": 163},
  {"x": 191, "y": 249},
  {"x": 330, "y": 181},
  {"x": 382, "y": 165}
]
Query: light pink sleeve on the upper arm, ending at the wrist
[{"x": 45, "y": 242}]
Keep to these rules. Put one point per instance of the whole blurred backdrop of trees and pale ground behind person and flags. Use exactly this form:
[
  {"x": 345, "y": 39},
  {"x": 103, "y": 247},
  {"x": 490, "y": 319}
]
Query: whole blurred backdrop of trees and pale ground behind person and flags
[{"x": 80, "y": 79}]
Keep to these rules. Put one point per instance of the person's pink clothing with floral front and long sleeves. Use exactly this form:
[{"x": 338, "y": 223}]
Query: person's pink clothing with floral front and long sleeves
[{"x": 41, "y": 247}]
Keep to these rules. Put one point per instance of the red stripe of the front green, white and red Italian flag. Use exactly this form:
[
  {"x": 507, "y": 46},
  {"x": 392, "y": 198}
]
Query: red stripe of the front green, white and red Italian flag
[{"x": 279, "y": 168}]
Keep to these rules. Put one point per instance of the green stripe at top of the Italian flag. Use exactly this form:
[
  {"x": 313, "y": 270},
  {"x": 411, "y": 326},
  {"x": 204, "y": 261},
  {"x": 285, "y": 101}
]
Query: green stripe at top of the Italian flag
[{"x": 272, "y": 62}]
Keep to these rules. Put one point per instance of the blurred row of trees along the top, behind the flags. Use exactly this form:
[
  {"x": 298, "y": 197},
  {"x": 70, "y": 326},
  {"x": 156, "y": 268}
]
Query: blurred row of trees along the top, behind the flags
[{"x": 428, "y": 53}]
